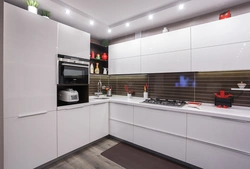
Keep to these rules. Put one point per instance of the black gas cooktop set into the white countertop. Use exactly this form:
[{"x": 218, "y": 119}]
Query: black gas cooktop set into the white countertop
[{"x": 165, "y": 102}]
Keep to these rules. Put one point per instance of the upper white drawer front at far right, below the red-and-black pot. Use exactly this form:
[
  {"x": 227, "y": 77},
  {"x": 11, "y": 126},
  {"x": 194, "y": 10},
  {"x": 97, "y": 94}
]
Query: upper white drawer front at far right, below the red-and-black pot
[{"x": 223, "y": 132}]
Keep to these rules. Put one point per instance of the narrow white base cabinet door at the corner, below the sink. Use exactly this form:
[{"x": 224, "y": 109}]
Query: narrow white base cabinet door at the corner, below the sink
[{"x": 99, "y": 121}]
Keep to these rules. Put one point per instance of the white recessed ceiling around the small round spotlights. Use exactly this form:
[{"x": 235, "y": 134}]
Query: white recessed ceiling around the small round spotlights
[{"x": 113, "y": 14}]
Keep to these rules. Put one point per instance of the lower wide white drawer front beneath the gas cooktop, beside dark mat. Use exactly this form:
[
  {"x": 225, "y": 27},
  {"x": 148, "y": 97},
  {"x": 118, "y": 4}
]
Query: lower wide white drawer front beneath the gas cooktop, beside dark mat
[{"x": 163, "y": 143}]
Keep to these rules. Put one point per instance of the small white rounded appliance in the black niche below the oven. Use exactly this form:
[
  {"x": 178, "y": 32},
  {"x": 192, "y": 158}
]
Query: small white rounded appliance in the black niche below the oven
[{"x": 68, "y": 95}]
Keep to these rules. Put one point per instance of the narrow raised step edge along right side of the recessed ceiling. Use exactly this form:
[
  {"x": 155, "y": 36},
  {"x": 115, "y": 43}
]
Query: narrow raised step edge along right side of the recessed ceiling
[{"x": 146, "y": 13}]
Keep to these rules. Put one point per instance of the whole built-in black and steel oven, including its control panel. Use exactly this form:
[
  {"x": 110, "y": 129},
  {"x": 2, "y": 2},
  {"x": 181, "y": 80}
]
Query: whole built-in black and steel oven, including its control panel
[{"x": 72, "y": 70}]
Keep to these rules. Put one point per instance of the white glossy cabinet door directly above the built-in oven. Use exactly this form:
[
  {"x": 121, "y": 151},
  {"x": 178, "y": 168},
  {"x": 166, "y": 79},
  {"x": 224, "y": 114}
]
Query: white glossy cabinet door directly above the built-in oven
[{"x": 73, "y": 42}]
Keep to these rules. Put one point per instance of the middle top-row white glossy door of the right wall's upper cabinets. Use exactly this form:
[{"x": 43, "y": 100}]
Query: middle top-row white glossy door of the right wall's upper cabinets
[{"x": 167, "y": 42}]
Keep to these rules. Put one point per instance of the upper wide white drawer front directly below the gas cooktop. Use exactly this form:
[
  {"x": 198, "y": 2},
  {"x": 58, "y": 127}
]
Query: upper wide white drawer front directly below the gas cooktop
[{"x": 165, "y": 121}]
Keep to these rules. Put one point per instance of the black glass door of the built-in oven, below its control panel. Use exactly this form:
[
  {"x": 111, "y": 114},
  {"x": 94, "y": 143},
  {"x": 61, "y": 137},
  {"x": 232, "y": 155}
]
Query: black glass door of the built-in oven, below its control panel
[{"x": 73, "y": 74}]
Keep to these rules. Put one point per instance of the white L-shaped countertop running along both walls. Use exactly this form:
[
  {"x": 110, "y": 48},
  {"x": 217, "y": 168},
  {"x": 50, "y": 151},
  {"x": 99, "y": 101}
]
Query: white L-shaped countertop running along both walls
[{"x": 235, "y": 112}]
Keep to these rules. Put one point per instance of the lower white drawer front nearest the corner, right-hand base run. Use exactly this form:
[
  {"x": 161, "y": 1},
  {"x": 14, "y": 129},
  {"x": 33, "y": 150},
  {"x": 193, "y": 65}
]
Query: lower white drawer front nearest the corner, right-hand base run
[{"x": 121, "y": 130}]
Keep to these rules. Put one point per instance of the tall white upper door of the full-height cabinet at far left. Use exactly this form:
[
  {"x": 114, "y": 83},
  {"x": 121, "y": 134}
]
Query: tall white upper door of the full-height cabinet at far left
[{"x": 29, "y": 62}]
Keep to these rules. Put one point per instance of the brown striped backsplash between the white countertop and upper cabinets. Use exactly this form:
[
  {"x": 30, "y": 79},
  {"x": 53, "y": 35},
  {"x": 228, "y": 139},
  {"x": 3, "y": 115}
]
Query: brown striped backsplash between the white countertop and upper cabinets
[{"x": 198, "y": 86}]
